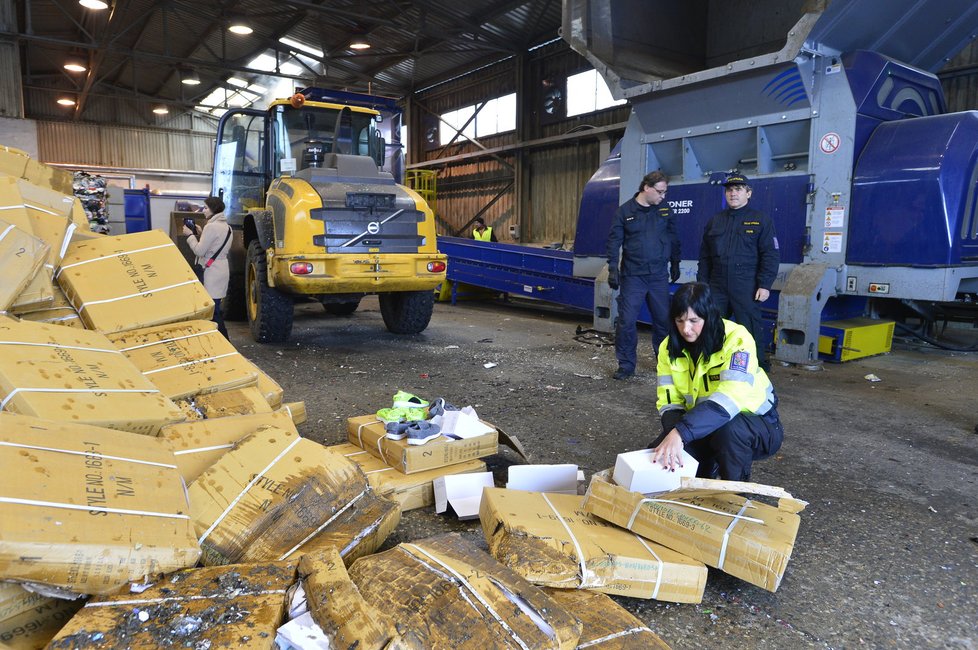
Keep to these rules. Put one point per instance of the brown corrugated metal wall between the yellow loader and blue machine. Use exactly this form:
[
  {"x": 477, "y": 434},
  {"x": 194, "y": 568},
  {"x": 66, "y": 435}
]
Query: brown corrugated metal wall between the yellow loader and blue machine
[{"x": 537, "y": 190}]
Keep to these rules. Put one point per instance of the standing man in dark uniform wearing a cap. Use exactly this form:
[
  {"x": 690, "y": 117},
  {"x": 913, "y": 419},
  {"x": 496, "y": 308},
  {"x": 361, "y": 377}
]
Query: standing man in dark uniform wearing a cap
[{"x": 739, "y": 259}]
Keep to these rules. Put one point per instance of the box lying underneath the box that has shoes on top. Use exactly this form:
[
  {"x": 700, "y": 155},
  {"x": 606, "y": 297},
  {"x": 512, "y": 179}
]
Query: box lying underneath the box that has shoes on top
[{"x": 411, "y": 491}]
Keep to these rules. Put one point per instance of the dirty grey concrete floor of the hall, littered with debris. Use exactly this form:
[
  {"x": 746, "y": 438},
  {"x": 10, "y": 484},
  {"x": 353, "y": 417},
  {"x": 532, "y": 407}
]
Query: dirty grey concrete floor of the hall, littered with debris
[{"x": 887, "y": 553}]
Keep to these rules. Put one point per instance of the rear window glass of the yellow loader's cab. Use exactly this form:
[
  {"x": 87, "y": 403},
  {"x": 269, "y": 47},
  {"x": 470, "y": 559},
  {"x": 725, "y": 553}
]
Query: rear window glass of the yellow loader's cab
[{"x": 309, "y": 134}]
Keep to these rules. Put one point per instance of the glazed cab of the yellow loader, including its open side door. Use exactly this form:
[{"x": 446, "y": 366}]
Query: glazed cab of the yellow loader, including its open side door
[{"x": 255, "y": 147}]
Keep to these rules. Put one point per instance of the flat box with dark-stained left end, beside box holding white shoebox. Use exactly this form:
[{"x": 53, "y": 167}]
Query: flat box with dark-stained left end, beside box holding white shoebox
[{"x": 550, "y": 540}]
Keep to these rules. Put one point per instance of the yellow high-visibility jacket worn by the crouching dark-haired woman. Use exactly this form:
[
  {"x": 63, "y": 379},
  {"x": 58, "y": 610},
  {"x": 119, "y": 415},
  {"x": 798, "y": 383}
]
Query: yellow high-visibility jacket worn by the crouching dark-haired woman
[{"x": 712, "y": 392}]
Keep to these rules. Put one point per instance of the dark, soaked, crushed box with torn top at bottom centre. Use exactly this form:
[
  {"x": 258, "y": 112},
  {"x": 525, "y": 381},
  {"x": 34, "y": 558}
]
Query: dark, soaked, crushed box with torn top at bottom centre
[{"x": 454, "y": 595}]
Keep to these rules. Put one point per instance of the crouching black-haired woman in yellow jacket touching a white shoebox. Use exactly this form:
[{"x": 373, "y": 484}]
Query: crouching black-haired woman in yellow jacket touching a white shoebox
[{"x": 713, "y": 398}]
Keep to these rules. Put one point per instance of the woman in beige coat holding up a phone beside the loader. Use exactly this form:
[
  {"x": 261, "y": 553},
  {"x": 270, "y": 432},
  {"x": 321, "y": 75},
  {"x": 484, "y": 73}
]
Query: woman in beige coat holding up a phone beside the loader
[{"x": 211, "y": 247}]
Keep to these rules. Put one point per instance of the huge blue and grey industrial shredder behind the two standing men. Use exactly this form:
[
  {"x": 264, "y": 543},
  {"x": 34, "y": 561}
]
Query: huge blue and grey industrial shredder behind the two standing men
[{"x": 843, "y": 132}]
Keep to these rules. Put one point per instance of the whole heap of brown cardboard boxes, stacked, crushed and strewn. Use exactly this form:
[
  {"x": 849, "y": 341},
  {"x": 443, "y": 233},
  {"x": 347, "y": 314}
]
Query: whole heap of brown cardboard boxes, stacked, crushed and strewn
[{"x": 156, "y": 492}]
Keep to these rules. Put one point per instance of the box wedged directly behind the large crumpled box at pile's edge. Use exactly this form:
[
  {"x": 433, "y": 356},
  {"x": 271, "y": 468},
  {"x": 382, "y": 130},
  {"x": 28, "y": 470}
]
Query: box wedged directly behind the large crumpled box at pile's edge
[{"x": 199, "y": 444}]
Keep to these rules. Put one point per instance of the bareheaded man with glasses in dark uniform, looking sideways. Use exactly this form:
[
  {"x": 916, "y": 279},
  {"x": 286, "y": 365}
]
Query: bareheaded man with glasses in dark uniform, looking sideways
[{"x": 644, "y": 231}]
